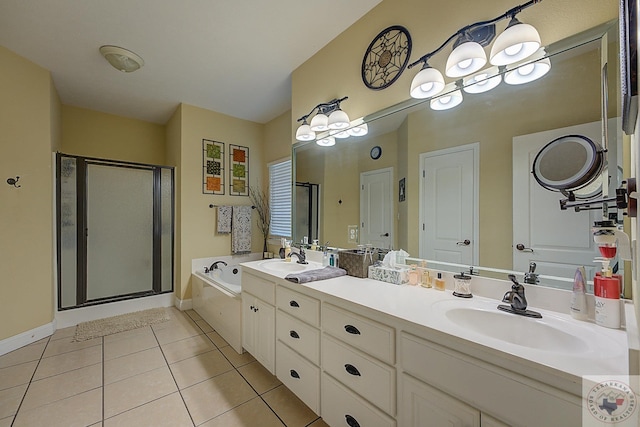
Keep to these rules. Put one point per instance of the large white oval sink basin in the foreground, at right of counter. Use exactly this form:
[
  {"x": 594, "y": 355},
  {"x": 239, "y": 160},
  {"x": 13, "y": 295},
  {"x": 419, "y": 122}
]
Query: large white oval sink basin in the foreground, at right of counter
[{"x": 518, "y": 330}]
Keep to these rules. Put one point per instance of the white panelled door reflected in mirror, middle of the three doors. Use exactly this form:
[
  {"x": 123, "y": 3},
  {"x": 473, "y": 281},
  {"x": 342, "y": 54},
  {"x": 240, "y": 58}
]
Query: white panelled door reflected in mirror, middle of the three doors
[{"x": 449, "y": 205}]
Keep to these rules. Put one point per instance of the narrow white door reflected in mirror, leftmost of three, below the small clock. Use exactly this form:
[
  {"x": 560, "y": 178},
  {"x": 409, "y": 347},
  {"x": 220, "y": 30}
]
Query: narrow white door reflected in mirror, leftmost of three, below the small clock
[{"x": 376, "y": 208}]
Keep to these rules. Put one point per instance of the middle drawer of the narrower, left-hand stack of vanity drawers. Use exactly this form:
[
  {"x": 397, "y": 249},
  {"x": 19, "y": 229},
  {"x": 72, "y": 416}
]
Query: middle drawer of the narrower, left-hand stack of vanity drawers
[{"x": 299, "y": 336}]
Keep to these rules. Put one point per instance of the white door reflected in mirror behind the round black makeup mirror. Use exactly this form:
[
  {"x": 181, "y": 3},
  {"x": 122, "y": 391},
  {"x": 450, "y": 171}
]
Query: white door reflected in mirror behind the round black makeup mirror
[{"x": 557, "y": 241}]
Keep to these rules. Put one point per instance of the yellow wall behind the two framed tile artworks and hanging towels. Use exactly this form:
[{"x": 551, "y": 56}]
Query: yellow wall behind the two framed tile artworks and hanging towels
[{"x": 197, "y": 238}]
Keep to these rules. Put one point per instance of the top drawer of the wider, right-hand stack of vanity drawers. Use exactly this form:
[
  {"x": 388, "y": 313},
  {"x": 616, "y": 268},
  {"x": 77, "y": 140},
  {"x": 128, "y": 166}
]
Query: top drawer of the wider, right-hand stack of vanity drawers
[{"x": 369, "y": 336}]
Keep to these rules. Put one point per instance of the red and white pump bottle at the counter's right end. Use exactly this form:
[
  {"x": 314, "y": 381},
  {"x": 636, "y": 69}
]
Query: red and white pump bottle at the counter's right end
[{"x": 606, "y": 290}]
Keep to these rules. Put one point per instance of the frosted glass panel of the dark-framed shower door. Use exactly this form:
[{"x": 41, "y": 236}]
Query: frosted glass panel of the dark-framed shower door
[{"x": 119, "y": 230}]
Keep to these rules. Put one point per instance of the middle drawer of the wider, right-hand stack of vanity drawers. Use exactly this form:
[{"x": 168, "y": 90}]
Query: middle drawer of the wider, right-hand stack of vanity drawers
[{"x": 373, "y": 380}]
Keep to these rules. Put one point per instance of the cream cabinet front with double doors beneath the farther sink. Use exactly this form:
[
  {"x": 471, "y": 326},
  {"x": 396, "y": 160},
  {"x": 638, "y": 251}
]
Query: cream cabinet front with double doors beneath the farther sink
[{"x": 259, "y": 319}]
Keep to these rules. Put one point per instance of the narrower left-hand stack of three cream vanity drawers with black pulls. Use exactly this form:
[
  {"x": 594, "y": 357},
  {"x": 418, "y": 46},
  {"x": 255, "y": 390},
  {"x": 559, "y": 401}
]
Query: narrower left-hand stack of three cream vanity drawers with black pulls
[{"x": 298, "y": 345}]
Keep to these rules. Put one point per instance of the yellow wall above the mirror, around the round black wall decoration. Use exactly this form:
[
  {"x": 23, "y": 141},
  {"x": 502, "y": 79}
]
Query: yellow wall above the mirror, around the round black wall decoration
[{"x": 334, "y": 71}]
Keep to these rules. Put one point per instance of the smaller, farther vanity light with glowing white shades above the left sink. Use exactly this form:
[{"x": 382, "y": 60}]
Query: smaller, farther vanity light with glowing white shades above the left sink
[{"x": 328, "y": 123}]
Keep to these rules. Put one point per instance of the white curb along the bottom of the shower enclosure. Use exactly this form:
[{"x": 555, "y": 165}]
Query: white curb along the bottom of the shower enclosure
[{"x": 74, "y": 316}]
